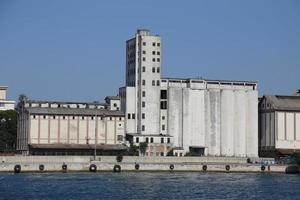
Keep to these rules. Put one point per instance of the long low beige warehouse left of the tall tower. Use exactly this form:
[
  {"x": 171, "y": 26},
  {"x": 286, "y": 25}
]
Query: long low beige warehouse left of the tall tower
[{"x": 69, "y": 128}]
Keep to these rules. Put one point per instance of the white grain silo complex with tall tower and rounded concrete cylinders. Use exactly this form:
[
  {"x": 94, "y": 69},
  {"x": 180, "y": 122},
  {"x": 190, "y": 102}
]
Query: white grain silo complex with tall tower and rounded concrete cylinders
[{"x": 199, "y": 116}]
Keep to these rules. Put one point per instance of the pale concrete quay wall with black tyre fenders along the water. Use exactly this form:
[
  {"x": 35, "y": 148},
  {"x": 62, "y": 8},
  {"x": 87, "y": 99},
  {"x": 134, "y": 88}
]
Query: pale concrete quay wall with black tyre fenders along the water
[{"x": 131, "y": 163}]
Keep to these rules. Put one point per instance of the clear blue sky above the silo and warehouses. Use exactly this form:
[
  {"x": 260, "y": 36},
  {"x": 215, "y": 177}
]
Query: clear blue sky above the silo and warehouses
[{"x": 75, "y": 50}]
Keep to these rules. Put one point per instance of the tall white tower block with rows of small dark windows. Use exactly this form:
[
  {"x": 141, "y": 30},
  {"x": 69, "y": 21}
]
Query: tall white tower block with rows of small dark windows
[{"x": 143, "y": 67}]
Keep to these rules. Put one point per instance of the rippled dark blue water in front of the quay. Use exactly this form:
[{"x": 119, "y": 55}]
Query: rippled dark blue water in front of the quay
[{"x": 144, "y": 186}]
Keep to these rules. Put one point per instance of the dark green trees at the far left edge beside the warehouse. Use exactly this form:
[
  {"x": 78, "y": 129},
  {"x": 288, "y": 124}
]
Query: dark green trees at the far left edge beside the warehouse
[{"x": 8, "y": 130}]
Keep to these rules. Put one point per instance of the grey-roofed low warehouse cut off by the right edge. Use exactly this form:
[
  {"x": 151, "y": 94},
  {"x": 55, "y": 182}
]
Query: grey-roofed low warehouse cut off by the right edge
[{"x": 279, "y": 125}]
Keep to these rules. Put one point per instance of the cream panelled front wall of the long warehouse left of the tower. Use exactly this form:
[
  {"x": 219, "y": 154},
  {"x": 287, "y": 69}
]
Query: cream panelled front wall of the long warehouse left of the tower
[{"x": 75, "y": 131}]
